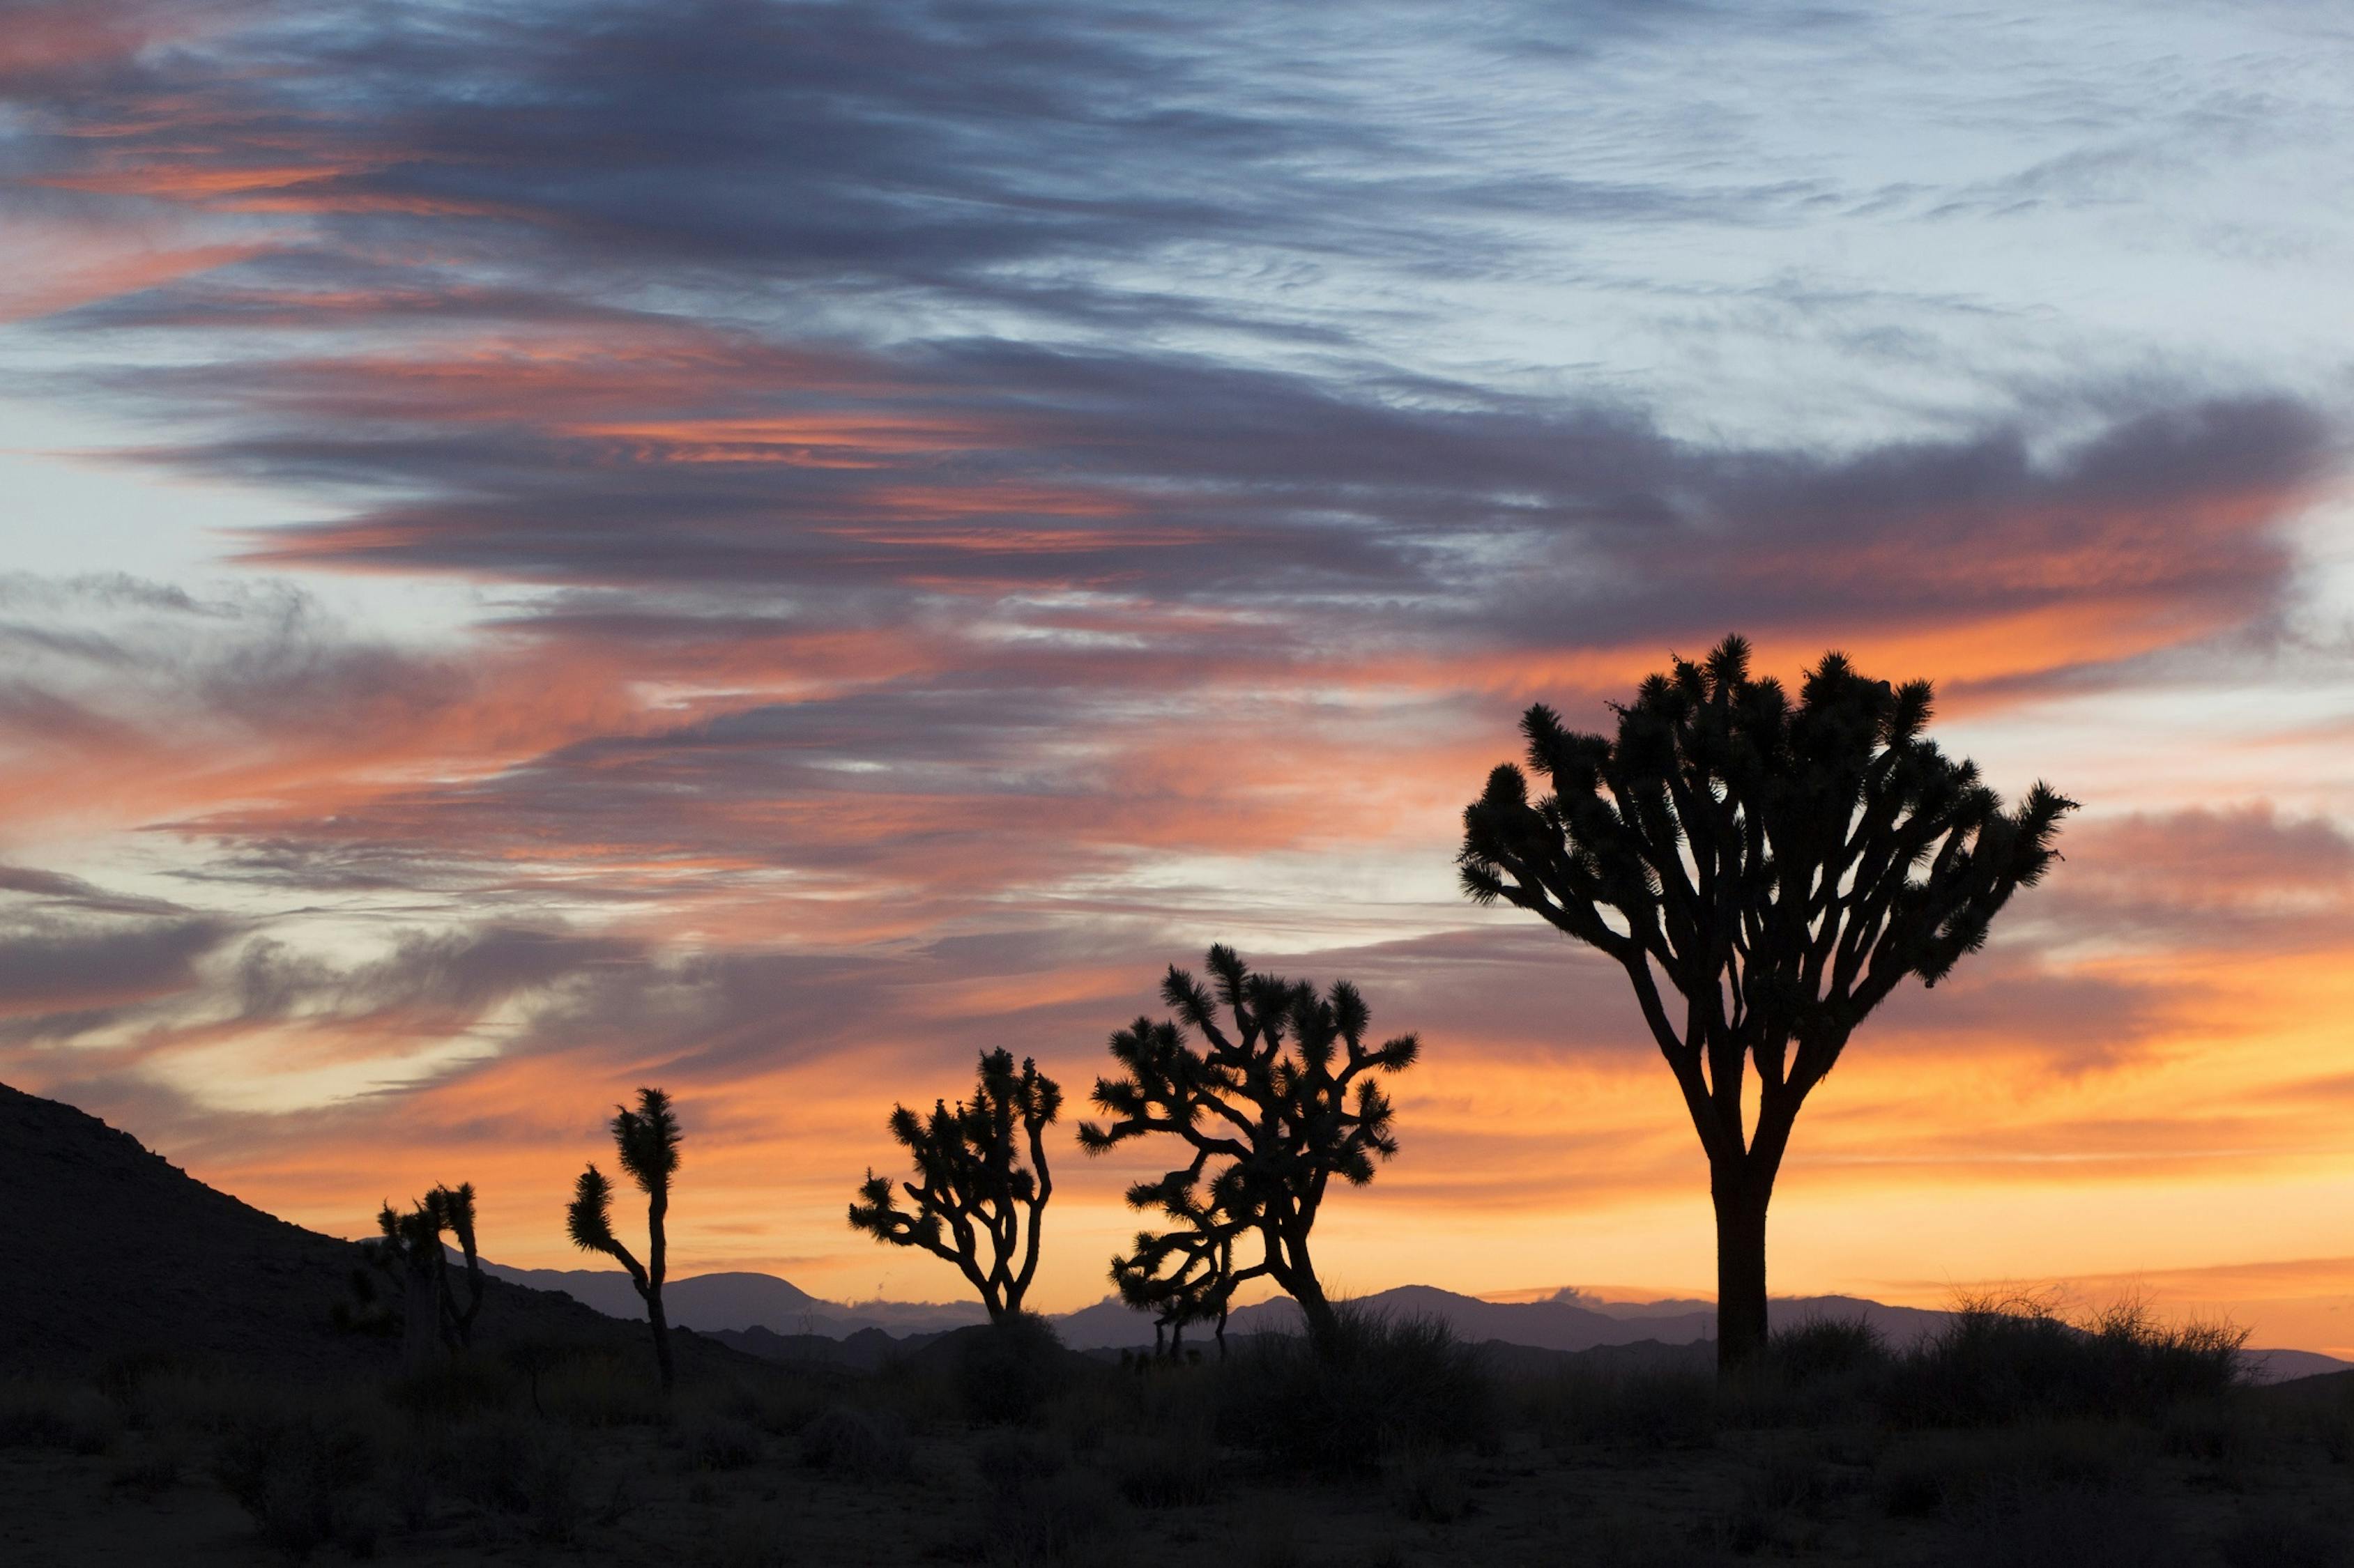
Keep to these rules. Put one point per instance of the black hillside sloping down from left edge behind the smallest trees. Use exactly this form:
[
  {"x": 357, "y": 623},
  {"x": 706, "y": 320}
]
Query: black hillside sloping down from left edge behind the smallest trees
[{"x": 117, "y": 1251}]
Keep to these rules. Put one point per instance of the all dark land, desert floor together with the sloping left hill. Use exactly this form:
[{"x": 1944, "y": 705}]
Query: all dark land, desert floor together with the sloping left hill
[{"x": 173, "y": 1390}]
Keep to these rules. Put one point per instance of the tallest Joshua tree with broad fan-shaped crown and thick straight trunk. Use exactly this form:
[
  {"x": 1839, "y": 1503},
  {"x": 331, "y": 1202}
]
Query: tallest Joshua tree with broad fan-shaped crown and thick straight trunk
[{"x": 1774, "y": 868}]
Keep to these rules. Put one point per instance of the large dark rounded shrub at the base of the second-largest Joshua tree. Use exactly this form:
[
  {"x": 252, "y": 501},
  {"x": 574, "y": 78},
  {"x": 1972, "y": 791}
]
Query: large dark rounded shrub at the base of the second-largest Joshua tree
[{"x": 1388, "y": 1383}]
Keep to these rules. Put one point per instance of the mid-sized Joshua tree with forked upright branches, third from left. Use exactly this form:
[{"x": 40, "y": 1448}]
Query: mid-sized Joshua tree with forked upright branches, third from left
[{"x": 971, "y": 1192}]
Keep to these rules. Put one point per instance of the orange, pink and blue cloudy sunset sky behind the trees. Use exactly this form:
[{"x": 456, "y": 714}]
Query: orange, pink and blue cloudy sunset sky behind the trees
[{"x": 764, "y": 547}]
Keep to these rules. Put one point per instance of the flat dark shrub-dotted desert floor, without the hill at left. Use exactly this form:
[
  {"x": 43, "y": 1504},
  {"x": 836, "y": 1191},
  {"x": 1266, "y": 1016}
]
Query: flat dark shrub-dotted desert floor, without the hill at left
[{"x": 980, "y": 1454}]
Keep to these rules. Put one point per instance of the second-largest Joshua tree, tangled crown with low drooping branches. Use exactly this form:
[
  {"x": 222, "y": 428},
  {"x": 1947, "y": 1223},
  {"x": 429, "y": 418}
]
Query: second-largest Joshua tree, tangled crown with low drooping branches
[{"x": 1272, "y": 1112}]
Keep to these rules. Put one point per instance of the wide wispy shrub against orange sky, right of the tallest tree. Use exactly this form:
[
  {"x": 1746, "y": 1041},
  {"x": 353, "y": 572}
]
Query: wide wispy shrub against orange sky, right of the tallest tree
[{"x": 2009, "y": 1362}]
